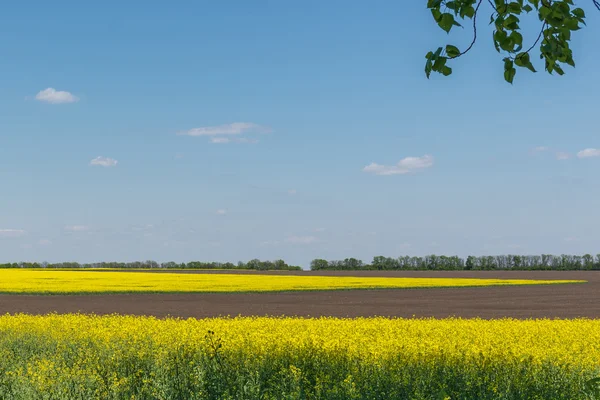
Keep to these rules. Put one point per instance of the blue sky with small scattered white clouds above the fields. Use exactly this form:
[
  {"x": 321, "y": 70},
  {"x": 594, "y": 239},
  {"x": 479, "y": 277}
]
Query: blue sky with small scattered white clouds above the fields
[{"x": 330, "y": 141}]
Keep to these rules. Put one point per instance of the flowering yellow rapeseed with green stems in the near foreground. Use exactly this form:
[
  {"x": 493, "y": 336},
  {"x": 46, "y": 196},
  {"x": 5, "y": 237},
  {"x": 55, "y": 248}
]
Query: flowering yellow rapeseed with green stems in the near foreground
[{"x": 122, "y": 357}]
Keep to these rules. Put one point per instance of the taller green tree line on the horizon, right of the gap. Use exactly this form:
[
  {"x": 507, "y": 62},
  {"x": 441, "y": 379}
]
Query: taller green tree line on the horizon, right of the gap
[{"x": 454, "y": 263}]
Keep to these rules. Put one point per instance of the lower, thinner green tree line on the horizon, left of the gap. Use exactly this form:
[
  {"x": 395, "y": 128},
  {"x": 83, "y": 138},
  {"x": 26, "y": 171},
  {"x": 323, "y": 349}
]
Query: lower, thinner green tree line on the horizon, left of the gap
[{"x": 277, "y": 265}]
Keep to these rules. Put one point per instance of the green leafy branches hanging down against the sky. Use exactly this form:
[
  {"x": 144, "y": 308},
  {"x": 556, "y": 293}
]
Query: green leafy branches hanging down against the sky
[{"x": 558, "y": 19}]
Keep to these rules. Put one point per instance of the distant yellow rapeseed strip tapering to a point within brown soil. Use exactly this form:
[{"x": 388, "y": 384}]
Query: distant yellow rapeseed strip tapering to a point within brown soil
[{"x": 71, "y": 282}]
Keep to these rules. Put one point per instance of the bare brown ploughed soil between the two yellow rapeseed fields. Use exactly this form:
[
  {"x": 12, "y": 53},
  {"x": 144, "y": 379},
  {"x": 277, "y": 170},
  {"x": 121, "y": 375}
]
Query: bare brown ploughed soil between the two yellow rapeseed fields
[{"x": 555, "y": 301}]
